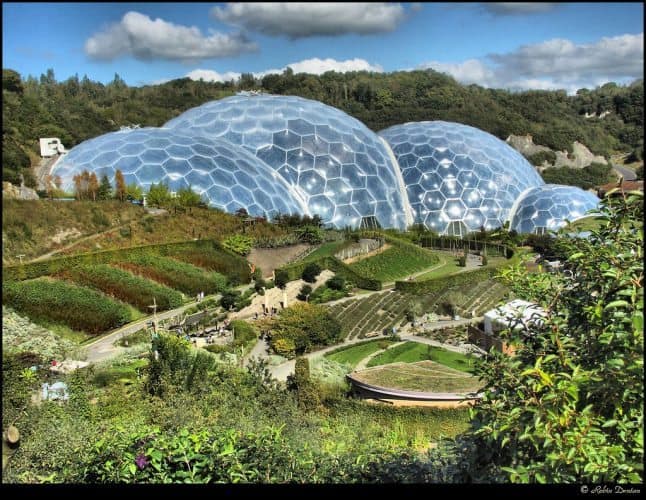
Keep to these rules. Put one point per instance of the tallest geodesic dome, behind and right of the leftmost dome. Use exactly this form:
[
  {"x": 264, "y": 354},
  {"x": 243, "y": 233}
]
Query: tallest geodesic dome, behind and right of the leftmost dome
[{"x": 342, "y": 170}]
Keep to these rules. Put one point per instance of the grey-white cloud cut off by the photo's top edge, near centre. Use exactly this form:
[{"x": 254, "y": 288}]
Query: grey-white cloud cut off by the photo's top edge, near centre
[{"x": 300, "y": 20}]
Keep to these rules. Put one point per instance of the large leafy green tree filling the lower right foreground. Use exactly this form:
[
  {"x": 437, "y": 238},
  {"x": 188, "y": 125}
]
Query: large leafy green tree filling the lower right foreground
[{"x": 568, "y": 406}]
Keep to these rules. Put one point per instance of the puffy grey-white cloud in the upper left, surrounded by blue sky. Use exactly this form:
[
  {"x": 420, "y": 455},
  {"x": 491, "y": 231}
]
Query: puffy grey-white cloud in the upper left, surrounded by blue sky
[{"x": 144, "y": 38}]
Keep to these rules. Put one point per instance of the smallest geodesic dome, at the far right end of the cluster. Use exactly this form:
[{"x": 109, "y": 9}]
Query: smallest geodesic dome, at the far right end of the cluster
[{"x": 547, "y": 207}]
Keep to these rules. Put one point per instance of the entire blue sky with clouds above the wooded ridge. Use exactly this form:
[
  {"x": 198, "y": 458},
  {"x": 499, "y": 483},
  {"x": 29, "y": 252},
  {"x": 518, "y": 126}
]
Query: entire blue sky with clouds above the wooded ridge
[{"x": 515, "y": 46}]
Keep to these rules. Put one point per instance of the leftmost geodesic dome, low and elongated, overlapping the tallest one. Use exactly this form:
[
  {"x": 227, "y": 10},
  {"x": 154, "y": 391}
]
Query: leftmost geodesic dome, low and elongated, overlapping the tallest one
[{"x": 227, "y": 176}]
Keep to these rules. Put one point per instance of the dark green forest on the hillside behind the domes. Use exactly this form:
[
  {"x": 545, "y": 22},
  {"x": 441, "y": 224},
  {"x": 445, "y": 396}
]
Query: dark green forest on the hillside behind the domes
[{"x": 77, "y": 109}]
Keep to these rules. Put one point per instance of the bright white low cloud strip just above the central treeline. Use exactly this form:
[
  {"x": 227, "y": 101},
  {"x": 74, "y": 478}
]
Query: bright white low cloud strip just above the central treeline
[{"x": 314, "y": 66}]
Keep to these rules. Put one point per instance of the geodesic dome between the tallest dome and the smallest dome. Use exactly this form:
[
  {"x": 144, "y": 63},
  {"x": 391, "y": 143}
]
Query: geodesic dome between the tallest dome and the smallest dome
[{"x": 458, "y": 178}]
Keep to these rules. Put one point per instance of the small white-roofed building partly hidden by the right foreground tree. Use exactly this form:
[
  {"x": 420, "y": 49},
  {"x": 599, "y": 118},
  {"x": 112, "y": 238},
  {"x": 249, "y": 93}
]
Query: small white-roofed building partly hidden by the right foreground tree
[{"x": 517, "y": 315}]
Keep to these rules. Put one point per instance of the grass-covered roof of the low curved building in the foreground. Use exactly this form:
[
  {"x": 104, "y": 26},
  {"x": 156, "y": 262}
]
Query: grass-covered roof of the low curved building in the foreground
[{"x": 424, "y": 376}]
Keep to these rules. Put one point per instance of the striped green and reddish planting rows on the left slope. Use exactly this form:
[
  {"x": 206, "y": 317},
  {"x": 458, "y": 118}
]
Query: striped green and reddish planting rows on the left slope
[{"x": 94, "y": 298}]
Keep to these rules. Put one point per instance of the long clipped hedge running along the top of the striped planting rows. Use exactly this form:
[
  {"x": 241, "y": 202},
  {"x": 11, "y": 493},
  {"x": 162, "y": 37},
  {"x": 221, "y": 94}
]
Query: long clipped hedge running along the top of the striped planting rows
[{"x": 224, "y": 261}]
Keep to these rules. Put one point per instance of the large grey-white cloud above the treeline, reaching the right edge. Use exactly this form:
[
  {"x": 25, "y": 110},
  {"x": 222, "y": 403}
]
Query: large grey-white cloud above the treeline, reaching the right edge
[{"x": 554, "y": 64}]
